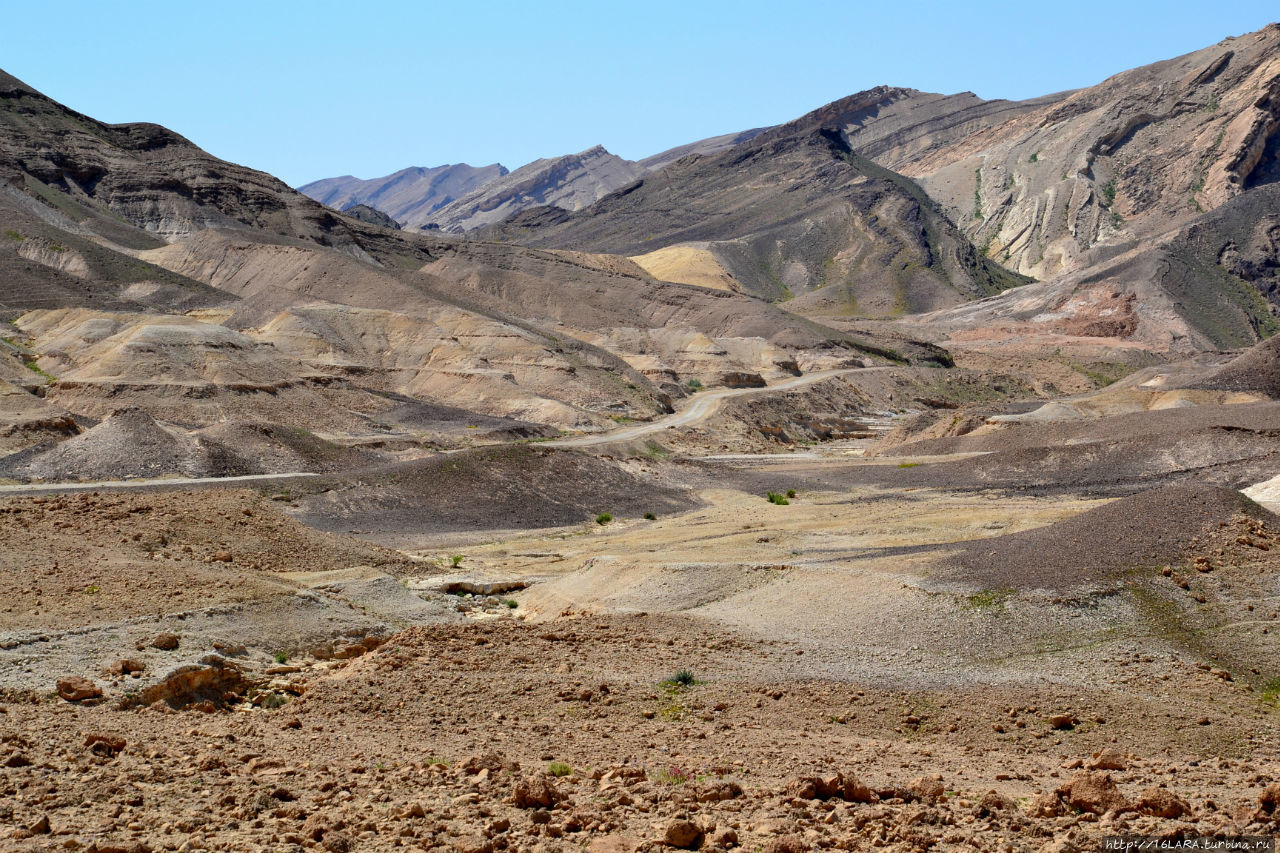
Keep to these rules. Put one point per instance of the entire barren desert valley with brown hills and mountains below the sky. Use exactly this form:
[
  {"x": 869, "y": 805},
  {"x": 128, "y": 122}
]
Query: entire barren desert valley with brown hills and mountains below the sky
[{"x": 903, "y": 477}]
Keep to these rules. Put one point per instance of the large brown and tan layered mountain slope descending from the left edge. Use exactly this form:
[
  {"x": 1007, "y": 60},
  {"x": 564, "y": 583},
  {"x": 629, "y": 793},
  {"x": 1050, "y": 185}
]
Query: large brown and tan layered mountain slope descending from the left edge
[{"x": 144, "y": 272}]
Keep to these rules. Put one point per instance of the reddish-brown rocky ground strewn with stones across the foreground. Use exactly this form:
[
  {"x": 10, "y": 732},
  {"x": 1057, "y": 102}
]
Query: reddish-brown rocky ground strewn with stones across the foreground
[{"x": 509, "y": 736}]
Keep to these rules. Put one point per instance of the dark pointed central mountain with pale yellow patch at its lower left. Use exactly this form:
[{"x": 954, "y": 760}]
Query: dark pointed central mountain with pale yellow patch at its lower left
[{"x": 792, "y": 213}]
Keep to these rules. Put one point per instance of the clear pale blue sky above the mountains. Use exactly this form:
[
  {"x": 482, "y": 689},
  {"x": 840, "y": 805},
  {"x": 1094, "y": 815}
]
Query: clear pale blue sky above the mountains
[{"x": 321, "y": 89}]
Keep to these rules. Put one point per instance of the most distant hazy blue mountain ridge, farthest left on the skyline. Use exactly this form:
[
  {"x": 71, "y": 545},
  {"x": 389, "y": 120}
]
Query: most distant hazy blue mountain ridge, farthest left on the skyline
[{"x": 408, "y": 197}]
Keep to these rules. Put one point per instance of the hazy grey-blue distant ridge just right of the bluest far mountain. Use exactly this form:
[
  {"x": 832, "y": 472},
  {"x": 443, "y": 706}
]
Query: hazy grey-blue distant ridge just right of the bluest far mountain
[{"x": 569, "y": 183}]
